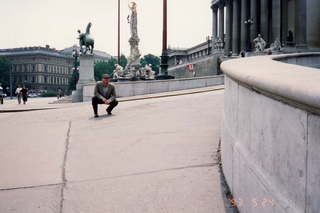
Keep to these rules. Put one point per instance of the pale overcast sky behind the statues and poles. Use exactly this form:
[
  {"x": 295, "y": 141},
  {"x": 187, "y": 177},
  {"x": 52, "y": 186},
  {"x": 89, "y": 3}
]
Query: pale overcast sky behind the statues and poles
[{"x": 55, "y": 22}]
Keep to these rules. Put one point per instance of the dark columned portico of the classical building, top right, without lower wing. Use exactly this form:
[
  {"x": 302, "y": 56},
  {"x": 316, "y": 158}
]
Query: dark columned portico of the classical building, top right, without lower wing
[{"x": 295, "y": 23}]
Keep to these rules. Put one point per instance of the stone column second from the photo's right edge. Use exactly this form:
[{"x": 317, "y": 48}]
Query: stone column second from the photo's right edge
[{"x": 301, "y": 23}]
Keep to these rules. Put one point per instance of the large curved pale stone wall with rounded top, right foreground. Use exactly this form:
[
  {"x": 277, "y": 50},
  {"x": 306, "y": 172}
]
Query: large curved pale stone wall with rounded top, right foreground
[{"x": 271, "y": 134}]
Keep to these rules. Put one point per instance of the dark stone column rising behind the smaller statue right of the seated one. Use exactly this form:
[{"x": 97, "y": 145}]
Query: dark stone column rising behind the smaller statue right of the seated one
[{"x": 276, "y": 20}]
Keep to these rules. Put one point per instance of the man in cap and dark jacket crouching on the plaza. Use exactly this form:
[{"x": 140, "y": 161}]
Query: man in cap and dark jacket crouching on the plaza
[{"x": 104, "y": 93}]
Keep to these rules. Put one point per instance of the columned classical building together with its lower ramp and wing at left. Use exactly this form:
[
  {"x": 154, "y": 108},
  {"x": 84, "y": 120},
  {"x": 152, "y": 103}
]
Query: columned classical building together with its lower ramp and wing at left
[{"x": 292, "y": 24}]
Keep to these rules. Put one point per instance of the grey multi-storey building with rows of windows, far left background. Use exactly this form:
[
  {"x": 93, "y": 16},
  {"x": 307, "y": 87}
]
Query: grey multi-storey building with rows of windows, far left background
[{"x": 39, "y": 67}]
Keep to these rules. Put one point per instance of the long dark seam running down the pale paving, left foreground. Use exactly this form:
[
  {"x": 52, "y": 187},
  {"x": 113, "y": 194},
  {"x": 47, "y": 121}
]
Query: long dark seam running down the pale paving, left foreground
[{"x": 64, "y": 163}]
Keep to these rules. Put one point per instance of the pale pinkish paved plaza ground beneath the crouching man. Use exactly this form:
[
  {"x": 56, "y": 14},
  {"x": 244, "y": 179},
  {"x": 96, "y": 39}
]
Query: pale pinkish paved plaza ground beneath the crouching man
[{"x": 153, "y": 155}]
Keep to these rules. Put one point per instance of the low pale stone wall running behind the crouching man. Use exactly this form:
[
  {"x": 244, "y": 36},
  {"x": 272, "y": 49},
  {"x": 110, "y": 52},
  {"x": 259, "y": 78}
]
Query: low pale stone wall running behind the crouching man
[{"x": 134, "y": 88}]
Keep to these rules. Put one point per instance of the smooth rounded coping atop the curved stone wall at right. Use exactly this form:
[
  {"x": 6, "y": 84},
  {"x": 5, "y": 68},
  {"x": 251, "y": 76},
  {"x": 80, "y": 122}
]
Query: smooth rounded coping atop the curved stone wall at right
[{"x": 267, "y": 73}]
